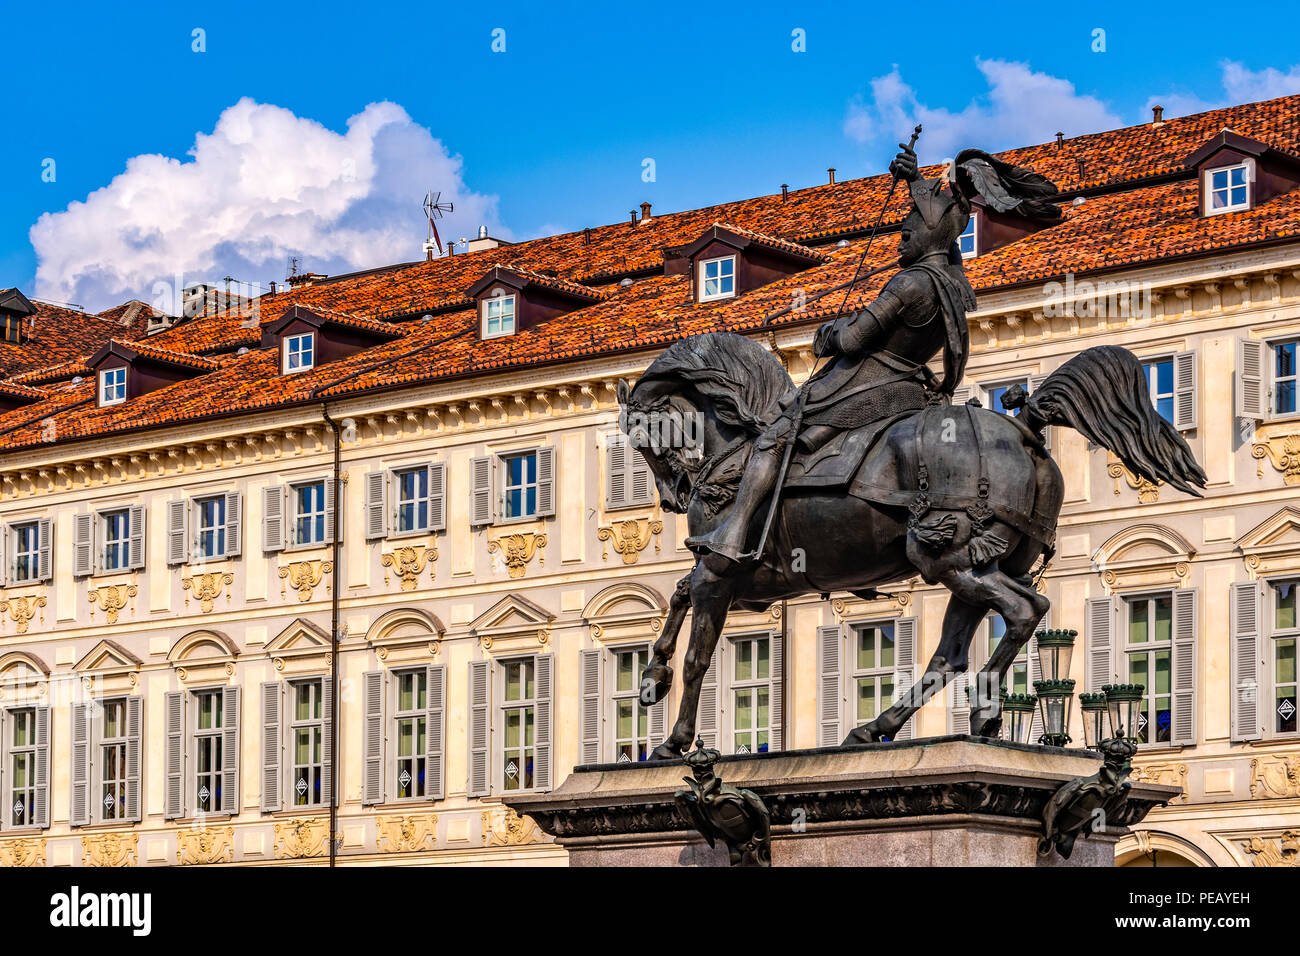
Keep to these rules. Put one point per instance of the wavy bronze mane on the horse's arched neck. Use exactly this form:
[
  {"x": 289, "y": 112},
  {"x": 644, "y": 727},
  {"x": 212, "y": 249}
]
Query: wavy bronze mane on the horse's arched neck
[{"x": 743, "y": 379}]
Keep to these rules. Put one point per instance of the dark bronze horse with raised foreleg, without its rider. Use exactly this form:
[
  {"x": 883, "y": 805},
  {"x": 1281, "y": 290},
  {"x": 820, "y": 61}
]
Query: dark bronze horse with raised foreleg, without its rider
[{"x": 960, "y": 495}]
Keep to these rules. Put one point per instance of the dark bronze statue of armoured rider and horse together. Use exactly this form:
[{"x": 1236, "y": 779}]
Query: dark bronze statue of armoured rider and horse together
[{"x": 869, "y": 475}]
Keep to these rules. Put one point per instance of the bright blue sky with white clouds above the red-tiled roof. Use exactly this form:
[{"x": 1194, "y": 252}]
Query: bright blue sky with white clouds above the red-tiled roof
[{"x": 552, "y": 135}]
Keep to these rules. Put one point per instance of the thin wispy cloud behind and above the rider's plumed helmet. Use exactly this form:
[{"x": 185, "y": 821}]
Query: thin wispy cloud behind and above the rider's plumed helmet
[{"x": 1020, "y": 107}]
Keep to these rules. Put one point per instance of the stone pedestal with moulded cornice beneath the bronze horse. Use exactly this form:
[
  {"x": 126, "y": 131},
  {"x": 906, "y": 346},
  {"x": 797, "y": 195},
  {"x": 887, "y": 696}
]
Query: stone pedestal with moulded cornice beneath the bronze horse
[{"x": 946, "y": 802}]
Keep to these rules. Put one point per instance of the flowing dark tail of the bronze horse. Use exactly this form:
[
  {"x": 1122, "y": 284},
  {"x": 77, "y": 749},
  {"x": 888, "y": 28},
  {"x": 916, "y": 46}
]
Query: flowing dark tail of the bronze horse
[{"x": 1103, "y": 395}]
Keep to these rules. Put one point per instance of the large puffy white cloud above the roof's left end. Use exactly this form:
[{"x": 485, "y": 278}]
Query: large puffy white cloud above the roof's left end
[{"x": 263, "y": 187}]
